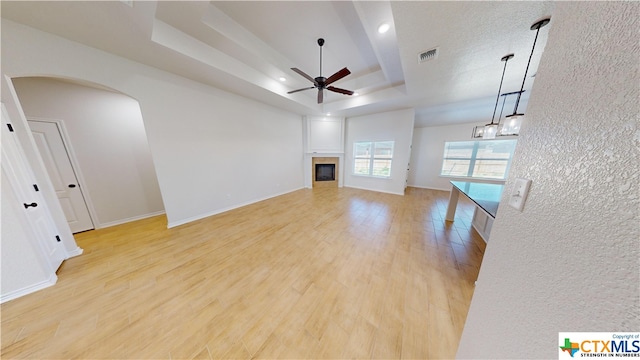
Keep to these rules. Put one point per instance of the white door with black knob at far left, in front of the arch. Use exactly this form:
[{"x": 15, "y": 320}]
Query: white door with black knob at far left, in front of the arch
[{"x": 22, "y": 182}]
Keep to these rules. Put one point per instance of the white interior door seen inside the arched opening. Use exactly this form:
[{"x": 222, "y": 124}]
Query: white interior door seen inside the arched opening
[{"x": 56, "y": 160}]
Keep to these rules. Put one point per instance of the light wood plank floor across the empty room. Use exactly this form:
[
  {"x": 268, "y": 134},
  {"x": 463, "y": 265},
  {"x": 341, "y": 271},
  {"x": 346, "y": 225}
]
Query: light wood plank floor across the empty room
[{"x": 323, "y": 273}]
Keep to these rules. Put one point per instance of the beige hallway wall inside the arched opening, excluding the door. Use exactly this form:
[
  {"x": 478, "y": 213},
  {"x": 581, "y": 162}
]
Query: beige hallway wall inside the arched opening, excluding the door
[{"x": 107, "y": 135}]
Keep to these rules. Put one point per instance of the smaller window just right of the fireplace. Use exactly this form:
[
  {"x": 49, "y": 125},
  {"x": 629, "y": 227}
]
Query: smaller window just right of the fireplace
[{"x": 373, "y": 158}]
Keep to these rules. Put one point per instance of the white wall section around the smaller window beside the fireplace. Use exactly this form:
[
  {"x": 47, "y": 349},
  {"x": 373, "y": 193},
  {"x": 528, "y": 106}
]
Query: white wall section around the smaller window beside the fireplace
[{"x": 393, "y": 125}]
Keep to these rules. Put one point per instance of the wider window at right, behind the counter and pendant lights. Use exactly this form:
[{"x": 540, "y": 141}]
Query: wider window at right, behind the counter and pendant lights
[{"x": 477, "y": 159}]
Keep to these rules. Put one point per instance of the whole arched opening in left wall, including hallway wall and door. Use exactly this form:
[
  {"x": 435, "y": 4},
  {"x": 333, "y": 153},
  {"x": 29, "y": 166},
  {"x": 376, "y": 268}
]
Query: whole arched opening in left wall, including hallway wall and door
[{"x": 101, "y": 133}]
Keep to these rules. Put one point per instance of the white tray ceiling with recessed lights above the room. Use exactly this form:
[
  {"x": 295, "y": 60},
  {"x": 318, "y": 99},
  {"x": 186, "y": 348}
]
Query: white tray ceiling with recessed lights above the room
[{"x": 245, "y": 46}]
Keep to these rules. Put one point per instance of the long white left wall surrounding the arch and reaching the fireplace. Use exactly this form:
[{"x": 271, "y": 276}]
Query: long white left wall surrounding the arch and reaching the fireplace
[{"x": 212, "y": 150}]
